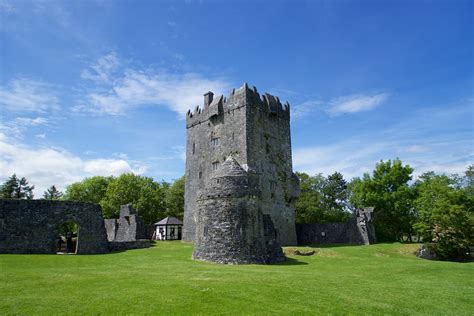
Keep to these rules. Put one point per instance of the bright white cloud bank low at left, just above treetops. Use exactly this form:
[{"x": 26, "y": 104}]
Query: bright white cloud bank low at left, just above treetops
[{"x": 44, "y": 167}]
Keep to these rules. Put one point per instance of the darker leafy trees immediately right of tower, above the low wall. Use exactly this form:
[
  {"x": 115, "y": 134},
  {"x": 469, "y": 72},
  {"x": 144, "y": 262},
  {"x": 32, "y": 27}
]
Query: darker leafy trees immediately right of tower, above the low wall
[{"x": 322, "y": 199}]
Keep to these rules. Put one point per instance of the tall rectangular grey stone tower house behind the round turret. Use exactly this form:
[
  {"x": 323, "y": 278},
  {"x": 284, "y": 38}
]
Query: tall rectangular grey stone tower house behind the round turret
[{"x": 254, "y": 130}]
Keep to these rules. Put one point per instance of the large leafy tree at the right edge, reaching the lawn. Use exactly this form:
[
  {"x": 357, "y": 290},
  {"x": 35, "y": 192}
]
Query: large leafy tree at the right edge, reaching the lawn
[{"x": 444, "y": 216}]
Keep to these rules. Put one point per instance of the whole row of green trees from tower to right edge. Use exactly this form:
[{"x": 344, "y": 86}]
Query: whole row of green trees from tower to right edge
[{"x": 435, "y": 209}]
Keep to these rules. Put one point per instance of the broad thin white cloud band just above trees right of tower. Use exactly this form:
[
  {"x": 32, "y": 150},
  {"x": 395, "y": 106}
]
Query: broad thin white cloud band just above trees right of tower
[{"x": 426, "y": 140}]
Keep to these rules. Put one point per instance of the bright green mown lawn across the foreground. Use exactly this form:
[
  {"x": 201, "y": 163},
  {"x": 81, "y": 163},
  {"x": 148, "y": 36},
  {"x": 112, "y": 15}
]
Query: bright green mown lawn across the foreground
[{"x": 376, "y": 279}]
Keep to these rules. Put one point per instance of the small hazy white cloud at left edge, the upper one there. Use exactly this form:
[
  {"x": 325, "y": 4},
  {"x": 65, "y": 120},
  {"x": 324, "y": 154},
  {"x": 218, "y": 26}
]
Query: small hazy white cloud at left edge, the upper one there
[{"x": 26, "y": 95}]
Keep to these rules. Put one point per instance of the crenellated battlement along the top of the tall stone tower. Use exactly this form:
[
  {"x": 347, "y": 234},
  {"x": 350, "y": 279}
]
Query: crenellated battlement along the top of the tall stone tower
[{"x": 243, "y": 96}]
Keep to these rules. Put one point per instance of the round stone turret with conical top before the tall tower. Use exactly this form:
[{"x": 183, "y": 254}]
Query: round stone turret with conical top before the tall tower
[{"x": 231, "y": 227}]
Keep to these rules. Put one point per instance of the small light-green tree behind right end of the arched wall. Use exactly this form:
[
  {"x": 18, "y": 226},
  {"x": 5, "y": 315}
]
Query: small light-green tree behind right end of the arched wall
[{"x": 90, "y": 190}]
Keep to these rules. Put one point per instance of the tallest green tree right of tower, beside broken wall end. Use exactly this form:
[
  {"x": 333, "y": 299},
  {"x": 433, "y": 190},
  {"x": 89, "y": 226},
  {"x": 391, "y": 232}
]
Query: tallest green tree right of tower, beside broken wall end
[{"x": 388, "y": 191}]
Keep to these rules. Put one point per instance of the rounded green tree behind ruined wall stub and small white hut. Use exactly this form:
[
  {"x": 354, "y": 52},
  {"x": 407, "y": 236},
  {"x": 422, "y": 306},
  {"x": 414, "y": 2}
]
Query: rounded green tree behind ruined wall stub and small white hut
[{"x": 146, "y": 196}]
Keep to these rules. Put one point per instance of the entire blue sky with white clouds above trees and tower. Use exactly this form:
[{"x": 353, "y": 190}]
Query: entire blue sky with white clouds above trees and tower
[{"x": 101, "y": 87}]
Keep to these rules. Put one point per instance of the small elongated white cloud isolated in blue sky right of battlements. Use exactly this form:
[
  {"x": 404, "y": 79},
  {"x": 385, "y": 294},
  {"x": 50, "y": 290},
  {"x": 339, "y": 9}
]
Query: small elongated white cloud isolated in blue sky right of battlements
[{"x": 356, "y": 103}]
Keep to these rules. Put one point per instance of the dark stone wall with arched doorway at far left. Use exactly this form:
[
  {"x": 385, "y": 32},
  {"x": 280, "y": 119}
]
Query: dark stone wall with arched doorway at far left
[{"x": 32, "y": 226}]
